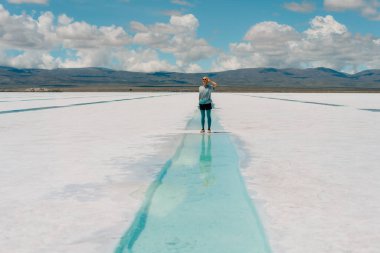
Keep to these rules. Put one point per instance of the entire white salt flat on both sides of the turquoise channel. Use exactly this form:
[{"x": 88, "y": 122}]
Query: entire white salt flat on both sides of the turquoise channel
[{"x": 73, "y": 178}]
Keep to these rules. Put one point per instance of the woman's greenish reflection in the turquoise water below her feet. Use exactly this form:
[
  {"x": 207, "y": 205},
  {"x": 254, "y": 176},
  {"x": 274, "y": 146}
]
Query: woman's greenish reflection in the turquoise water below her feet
[{"x": 205, "y": 161}]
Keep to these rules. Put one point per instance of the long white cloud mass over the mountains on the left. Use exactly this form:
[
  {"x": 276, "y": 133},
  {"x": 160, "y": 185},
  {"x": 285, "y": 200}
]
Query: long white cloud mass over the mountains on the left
[{"x": 81, "y": 44}]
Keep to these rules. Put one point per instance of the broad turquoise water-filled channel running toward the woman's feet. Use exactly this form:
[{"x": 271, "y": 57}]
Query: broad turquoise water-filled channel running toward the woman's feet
[{"x": 198, "y": 202}]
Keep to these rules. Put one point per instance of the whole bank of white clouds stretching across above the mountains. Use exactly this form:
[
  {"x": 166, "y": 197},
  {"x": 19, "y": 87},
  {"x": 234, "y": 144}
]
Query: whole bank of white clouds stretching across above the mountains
[{"x": 48, "y": 41}]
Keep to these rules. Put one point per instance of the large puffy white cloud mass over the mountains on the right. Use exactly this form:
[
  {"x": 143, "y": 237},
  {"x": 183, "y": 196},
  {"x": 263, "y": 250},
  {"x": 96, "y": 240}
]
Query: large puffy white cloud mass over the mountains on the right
[{"x": 325, "y": 43}]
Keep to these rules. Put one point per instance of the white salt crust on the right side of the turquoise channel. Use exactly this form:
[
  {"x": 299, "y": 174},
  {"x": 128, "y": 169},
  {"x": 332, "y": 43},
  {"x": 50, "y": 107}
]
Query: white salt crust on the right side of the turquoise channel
[{"x": 312, "y": 169}]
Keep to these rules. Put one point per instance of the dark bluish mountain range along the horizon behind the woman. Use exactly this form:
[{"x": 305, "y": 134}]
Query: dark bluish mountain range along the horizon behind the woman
[{"x": 241, "y": 79}]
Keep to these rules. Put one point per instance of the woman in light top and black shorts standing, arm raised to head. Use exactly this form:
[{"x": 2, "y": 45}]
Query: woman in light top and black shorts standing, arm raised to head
[{"x": 205, "y": 102}]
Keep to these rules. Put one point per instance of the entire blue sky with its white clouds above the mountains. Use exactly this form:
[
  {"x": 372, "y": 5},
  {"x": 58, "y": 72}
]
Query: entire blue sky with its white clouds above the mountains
[{"x": 202, "y": 35}]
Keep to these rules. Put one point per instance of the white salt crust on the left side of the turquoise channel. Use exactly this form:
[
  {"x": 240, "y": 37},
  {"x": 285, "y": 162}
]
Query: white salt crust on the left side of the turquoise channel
[{"x": 73, "y": 178}]
